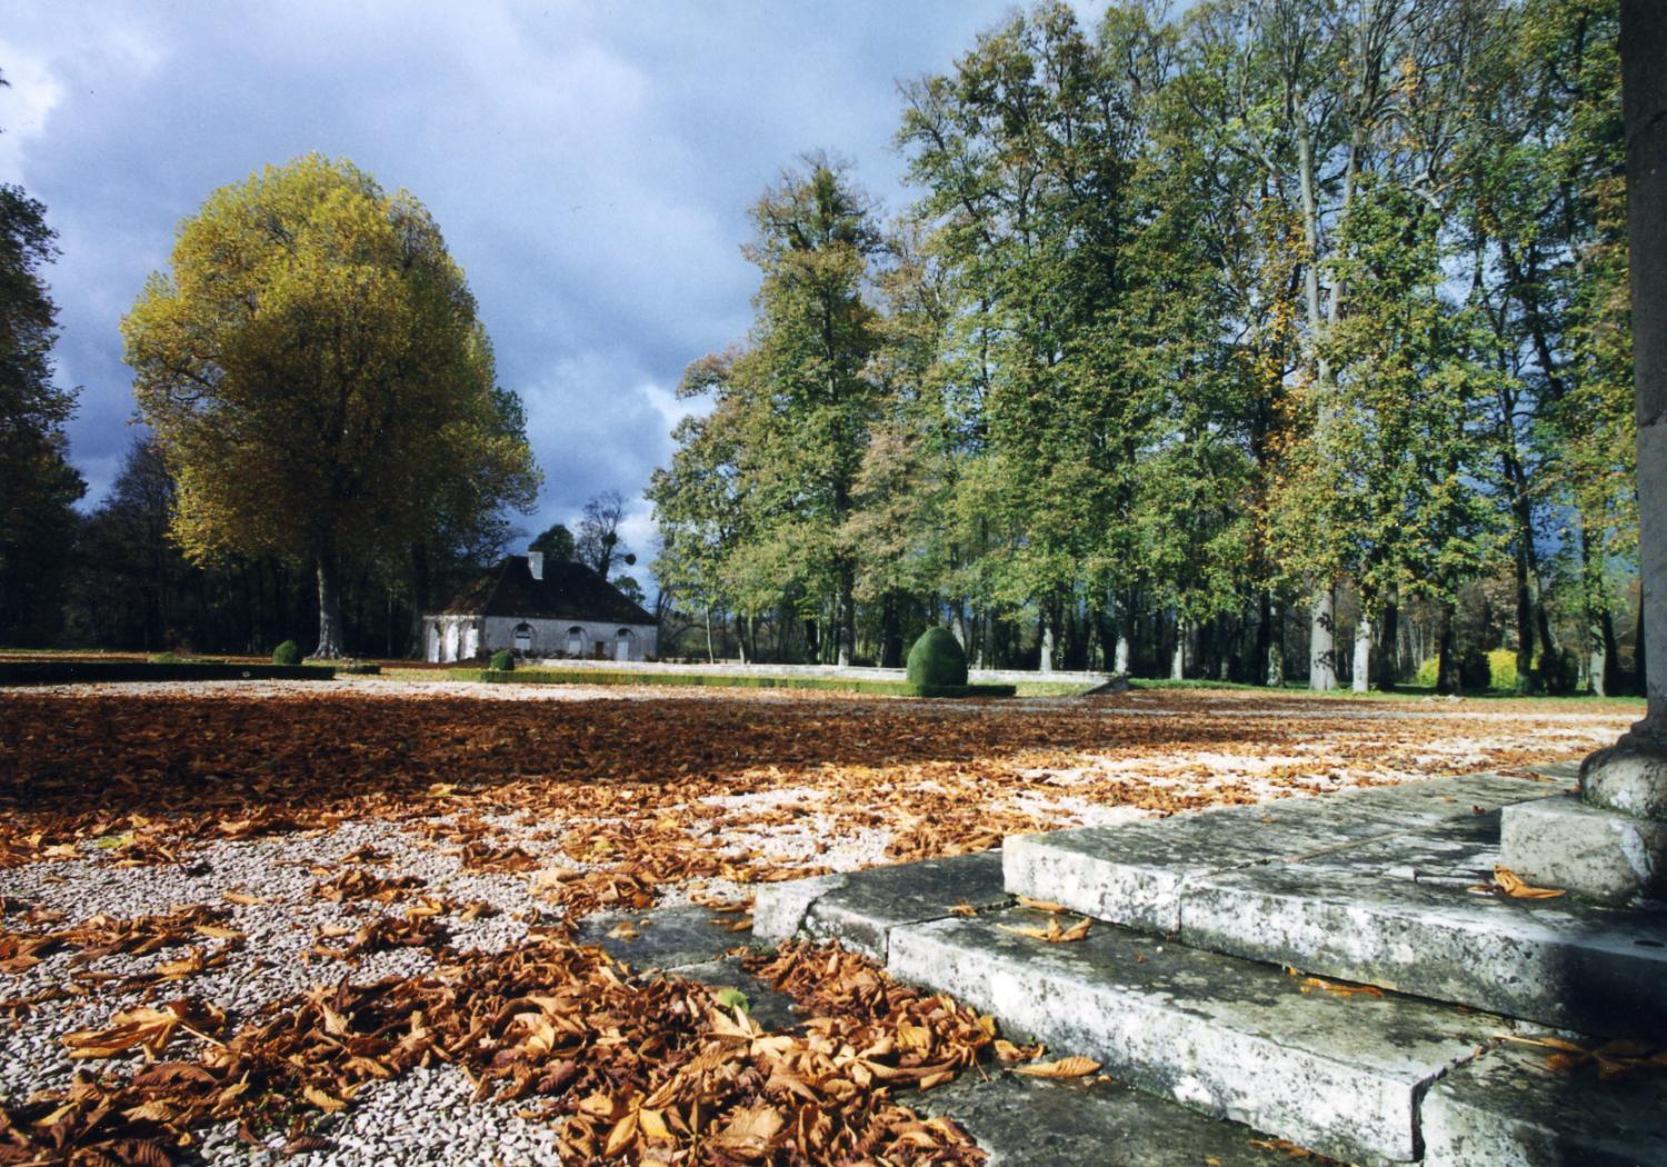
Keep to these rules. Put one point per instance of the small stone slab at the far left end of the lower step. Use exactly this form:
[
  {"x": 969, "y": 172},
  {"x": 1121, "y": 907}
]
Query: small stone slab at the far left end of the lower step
[{"x": 863, "y": 909}]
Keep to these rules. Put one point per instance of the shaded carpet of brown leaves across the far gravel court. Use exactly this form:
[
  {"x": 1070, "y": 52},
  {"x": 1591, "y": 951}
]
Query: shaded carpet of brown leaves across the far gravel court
[{"x": 146, "y": 778}]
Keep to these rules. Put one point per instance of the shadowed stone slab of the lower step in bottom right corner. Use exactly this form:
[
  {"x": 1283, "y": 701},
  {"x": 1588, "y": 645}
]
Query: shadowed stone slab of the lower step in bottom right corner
[{"x": 1508, "y": 1108}]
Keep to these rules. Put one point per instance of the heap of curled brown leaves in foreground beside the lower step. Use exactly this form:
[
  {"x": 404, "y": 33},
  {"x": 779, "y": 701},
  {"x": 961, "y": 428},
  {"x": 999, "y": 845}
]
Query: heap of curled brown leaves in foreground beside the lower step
[{"x": 643, "y": 1071}]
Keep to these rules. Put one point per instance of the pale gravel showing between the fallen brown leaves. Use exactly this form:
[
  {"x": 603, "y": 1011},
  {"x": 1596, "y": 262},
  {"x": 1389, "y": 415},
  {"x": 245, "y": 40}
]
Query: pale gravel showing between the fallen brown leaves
[{"x": 801, "y": 819}]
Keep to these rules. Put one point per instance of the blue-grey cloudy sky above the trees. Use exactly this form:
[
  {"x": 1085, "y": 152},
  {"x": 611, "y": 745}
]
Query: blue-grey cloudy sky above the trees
[{"x": 589, "y": 163}]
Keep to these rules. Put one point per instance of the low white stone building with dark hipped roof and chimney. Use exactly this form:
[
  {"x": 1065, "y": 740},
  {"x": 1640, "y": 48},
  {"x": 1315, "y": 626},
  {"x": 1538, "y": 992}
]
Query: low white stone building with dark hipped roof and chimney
[{"x": 541, "y": 611}]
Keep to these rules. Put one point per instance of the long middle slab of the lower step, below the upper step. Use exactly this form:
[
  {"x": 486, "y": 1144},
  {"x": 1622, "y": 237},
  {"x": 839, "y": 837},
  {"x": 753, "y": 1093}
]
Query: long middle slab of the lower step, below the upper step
[{"x": 1236, "y": 1039}]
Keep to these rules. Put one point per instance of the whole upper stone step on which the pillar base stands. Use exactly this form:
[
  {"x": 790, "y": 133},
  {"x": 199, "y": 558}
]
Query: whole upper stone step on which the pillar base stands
[{"x": 1376, "y": 888}]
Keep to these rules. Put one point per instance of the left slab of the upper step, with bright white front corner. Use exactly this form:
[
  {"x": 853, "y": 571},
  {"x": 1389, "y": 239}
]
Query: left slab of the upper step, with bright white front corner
[{"x": 1136, "y": 874}]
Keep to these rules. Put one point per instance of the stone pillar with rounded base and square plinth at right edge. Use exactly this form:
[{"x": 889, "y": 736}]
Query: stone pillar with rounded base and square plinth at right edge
[{"x": 1611, "y": 844}]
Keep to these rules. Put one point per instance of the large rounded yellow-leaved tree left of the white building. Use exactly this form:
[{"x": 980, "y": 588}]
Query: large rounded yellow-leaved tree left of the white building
[{"x": 318, "y": 379}]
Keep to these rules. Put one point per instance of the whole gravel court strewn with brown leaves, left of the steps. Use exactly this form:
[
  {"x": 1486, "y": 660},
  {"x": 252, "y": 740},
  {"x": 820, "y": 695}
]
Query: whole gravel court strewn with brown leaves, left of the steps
[{"x": 244, "y": 913}]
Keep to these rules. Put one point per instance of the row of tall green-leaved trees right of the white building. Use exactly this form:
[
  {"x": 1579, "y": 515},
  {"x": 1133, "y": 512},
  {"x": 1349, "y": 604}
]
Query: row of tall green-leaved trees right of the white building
[{"x": 1201, "y": 336}]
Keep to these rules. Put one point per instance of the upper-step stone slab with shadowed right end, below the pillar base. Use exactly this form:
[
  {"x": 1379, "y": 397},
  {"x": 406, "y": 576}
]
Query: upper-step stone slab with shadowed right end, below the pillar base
[{"x": 1399, "y": 913}]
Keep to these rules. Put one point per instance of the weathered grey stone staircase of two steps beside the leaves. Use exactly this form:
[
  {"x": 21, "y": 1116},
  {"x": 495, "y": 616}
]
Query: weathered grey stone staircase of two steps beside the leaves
[{"x": 1321, "y": 971}]
